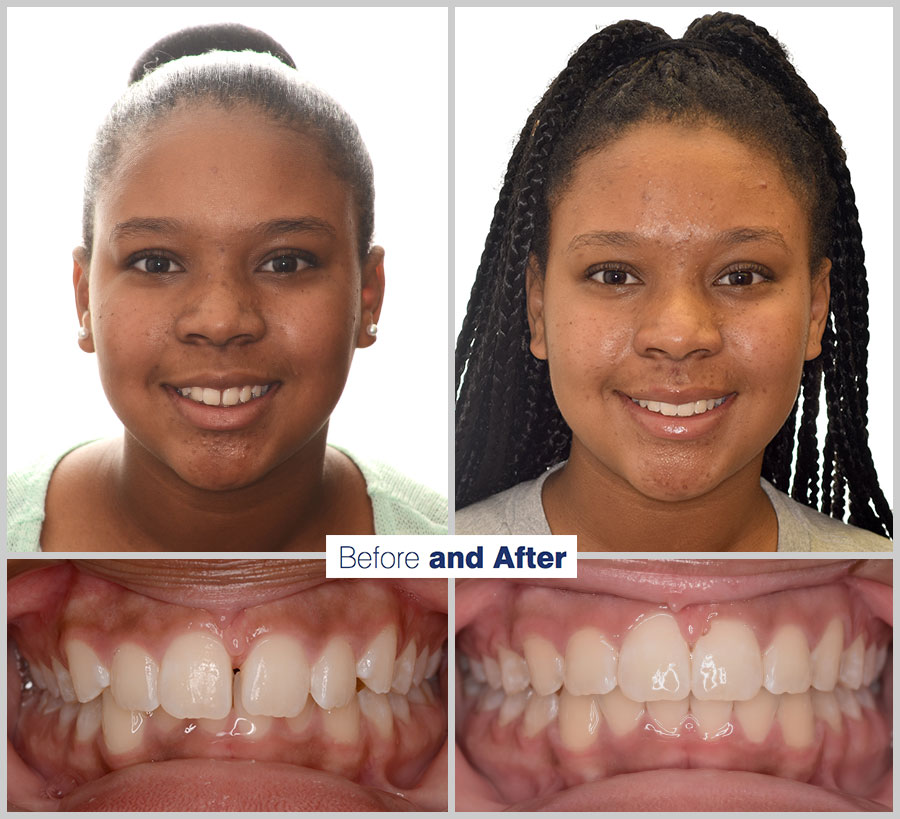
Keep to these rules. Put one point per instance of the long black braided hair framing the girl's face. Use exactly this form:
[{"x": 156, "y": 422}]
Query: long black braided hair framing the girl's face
[{"x": 731, "y": 73}]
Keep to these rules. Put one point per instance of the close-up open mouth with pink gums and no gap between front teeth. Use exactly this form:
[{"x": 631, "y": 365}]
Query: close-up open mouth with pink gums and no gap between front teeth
[{"x": 575, "y": 701}]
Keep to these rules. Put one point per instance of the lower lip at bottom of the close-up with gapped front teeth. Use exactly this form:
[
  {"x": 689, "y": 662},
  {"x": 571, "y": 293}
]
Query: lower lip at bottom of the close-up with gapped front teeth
[{"x": 226, "y": 785}]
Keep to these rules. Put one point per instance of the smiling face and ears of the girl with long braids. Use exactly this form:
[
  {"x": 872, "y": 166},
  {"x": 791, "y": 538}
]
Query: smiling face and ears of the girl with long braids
[{"x": 677, "y": 308}]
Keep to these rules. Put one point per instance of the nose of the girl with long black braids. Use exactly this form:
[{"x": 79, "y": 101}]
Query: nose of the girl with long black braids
[{"x": 676, "y": 322}]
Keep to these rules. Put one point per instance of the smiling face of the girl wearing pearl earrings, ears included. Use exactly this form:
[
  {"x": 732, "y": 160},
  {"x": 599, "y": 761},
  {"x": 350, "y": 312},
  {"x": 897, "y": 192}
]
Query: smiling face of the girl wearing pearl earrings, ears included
[{"x": 225, "y": 267}]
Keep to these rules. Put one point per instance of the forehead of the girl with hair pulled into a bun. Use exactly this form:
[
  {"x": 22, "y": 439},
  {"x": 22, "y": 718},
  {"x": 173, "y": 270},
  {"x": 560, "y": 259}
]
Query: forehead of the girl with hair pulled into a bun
[{"x": 232, "y": 165}]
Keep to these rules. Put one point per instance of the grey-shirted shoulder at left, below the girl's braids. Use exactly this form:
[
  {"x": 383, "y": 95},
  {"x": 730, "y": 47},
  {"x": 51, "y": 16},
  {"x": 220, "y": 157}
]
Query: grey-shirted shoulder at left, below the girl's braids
[{"x": 515, "y": 511}]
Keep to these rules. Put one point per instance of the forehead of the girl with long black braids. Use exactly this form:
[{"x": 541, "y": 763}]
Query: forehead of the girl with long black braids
[{"x": 674, "y": 183}]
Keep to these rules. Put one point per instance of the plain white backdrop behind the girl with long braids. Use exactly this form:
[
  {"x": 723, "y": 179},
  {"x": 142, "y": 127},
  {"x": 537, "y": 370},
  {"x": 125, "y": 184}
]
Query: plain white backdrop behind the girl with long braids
[{"x": 506, "y": 58}]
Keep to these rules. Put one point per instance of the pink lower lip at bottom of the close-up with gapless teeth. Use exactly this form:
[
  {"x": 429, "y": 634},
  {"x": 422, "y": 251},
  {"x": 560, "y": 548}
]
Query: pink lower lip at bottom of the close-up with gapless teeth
[{"x": 699, "y": 790}]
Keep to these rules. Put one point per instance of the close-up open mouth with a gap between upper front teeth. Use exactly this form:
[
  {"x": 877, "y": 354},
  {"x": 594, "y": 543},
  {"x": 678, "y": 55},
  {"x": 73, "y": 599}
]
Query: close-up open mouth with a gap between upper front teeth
[{"x": 295, "y": 694}]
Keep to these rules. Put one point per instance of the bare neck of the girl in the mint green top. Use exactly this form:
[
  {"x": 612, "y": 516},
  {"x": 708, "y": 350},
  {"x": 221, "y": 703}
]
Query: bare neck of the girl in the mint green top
[{"x": 159, "y": 511}]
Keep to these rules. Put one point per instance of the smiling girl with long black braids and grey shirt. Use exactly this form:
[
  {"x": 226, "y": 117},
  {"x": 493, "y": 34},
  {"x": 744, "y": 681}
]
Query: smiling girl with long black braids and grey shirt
[{"x": 674, "y": 256}]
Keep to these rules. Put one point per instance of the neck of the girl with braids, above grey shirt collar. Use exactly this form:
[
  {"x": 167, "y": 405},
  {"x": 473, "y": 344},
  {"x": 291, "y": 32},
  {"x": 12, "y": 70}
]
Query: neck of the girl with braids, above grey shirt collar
[{"x": 609, "y": 514}]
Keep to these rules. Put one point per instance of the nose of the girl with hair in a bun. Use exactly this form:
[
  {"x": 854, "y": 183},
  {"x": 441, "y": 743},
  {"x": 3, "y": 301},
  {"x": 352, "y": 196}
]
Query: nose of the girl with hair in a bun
[{"x": 221, "y": 309}]
